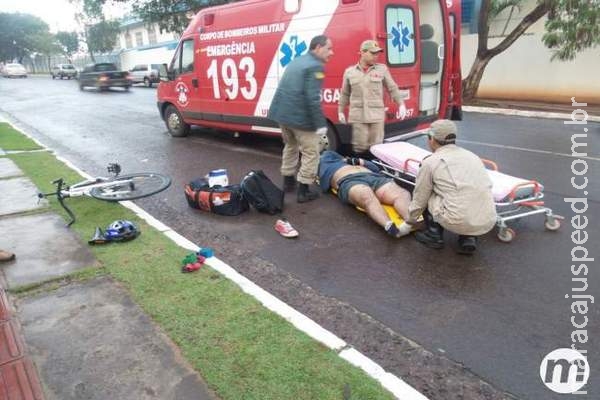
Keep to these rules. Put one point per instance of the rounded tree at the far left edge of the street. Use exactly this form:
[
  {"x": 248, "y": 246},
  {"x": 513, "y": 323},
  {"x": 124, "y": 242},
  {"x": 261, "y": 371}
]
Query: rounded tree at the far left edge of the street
[{"x": 22, "y": 35}]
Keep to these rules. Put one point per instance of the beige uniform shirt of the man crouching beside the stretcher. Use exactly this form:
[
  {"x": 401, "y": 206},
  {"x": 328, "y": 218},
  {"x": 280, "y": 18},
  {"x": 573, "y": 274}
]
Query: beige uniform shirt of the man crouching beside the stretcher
[{"x": 454, "y": 186}]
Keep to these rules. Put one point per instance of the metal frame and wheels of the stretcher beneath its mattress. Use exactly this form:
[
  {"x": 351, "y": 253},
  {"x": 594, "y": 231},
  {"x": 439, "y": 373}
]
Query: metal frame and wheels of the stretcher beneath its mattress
[{"x": 510, "y": 209}]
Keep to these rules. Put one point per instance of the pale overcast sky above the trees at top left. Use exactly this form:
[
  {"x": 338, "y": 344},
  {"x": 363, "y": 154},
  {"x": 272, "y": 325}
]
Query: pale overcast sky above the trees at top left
[{"x": 58, "y": 14}]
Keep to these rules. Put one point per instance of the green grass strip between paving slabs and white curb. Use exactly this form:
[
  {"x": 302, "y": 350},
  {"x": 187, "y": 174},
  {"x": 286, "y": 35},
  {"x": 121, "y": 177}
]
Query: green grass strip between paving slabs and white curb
[{"x": 242, "y": 350}]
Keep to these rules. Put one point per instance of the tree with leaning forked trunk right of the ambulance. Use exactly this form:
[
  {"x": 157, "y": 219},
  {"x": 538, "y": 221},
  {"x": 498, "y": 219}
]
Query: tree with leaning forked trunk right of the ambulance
[{"x": 573, "y": 25}]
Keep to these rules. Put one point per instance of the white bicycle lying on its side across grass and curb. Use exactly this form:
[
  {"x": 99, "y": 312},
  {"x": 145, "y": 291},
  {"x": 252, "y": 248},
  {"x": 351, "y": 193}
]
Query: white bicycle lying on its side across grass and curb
[{"x": 114, "y": 188}]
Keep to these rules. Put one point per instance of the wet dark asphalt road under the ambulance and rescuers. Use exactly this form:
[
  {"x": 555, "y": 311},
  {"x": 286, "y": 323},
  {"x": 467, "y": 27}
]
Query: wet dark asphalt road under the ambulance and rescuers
[{"x": 497, "y": 313}]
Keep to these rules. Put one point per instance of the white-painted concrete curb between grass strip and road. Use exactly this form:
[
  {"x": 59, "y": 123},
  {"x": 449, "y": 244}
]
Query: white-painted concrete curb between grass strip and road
[{"x": 389, "y": 381}]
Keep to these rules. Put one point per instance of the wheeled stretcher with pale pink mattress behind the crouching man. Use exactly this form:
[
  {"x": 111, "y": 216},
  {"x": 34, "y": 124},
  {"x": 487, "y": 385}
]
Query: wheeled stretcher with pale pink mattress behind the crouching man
[{"x": 514, "y": 197}]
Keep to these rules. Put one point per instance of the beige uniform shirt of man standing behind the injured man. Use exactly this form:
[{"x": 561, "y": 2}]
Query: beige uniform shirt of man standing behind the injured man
[{"x": 363, "y": 91}]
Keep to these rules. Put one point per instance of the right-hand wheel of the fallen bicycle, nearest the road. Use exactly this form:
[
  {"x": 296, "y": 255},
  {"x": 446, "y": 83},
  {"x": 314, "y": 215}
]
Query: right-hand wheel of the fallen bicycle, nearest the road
[{"x": 132, "y": 186}]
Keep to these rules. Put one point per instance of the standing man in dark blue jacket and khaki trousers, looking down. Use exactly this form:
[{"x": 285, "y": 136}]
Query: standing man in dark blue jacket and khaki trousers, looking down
[{"x": 296, "y": 107}]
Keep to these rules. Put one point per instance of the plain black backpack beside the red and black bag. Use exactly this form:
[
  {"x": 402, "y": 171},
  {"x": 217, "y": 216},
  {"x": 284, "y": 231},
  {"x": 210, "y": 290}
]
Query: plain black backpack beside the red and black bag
[{"x": 261, "y": 193}]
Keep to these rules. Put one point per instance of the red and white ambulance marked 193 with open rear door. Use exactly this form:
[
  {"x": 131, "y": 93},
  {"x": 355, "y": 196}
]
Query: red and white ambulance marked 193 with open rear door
[{"x": 226, "y": 68}]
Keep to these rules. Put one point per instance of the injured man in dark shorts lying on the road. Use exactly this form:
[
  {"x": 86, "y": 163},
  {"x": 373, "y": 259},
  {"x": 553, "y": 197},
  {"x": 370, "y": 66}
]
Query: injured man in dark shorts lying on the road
[{"x": 359, "y": 182}]
